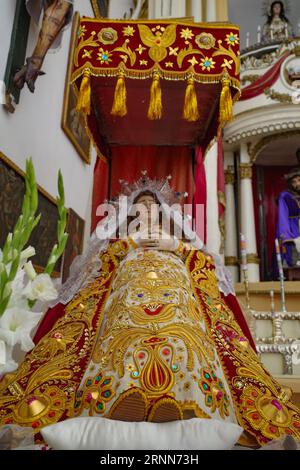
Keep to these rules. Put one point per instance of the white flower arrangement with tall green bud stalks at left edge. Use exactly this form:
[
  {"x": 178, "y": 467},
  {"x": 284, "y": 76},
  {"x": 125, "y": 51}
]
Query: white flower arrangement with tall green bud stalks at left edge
[{"x": 20, "y": 285}]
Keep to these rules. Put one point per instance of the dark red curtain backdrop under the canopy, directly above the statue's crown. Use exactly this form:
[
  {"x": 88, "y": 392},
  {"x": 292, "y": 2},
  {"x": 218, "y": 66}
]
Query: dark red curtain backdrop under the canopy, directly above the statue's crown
[{"x": 128, "y": 162}]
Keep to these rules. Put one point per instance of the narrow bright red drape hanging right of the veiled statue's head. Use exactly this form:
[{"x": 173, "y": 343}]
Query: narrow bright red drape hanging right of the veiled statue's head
[{"x": 200, "y": 194}]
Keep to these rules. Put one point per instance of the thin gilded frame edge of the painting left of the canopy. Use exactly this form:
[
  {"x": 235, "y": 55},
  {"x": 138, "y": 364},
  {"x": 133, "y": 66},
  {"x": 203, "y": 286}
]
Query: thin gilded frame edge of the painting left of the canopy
[{"x": 86, "y": 158}]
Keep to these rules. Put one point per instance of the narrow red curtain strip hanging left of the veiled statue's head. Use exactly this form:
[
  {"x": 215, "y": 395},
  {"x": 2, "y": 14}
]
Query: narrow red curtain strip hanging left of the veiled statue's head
[{"x": 100, "y": 189}]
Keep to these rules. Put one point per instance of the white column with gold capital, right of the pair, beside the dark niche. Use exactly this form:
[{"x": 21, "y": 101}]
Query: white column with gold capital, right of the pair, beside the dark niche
[{"x": 247, "y": 213}]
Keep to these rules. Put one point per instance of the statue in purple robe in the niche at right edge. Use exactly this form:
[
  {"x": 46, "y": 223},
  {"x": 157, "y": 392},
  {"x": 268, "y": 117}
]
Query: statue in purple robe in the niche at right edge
[{"x": 288, "y": 226}]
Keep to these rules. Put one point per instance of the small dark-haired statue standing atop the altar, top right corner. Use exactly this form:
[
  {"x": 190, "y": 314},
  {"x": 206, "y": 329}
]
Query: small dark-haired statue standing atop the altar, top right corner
[{"x": 278, "y": 27}]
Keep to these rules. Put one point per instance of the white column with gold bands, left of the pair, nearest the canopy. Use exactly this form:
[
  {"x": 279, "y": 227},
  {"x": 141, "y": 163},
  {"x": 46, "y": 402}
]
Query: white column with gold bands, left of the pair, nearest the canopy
[{"x": 231, "y": 243}]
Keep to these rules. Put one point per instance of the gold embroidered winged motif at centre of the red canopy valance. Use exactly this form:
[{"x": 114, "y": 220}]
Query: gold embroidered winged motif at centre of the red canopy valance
[{"x": 159, "y": 41}]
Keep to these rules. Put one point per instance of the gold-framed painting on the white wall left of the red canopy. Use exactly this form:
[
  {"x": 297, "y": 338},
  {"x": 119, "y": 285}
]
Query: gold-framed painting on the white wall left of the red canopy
[{"x": 73, "y": 123}]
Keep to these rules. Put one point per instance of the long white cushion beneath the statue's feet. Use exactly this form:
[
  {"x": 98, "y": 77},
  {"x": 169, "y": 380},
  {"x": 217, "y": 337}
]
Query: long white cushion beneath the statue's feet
[{"x": 92, "y": 433}]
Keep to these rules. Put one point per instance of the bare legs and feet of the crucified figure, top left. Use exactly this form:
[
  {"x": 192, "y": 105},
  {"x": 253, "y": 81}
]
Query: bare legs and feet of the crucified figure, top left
[{"x": 56, "y": 15}]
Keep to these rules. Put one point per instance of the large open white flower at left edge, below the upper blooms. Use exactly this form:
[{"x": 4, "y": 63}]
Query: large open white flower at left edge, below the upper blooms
[{"x": 16, "y": 325}]
